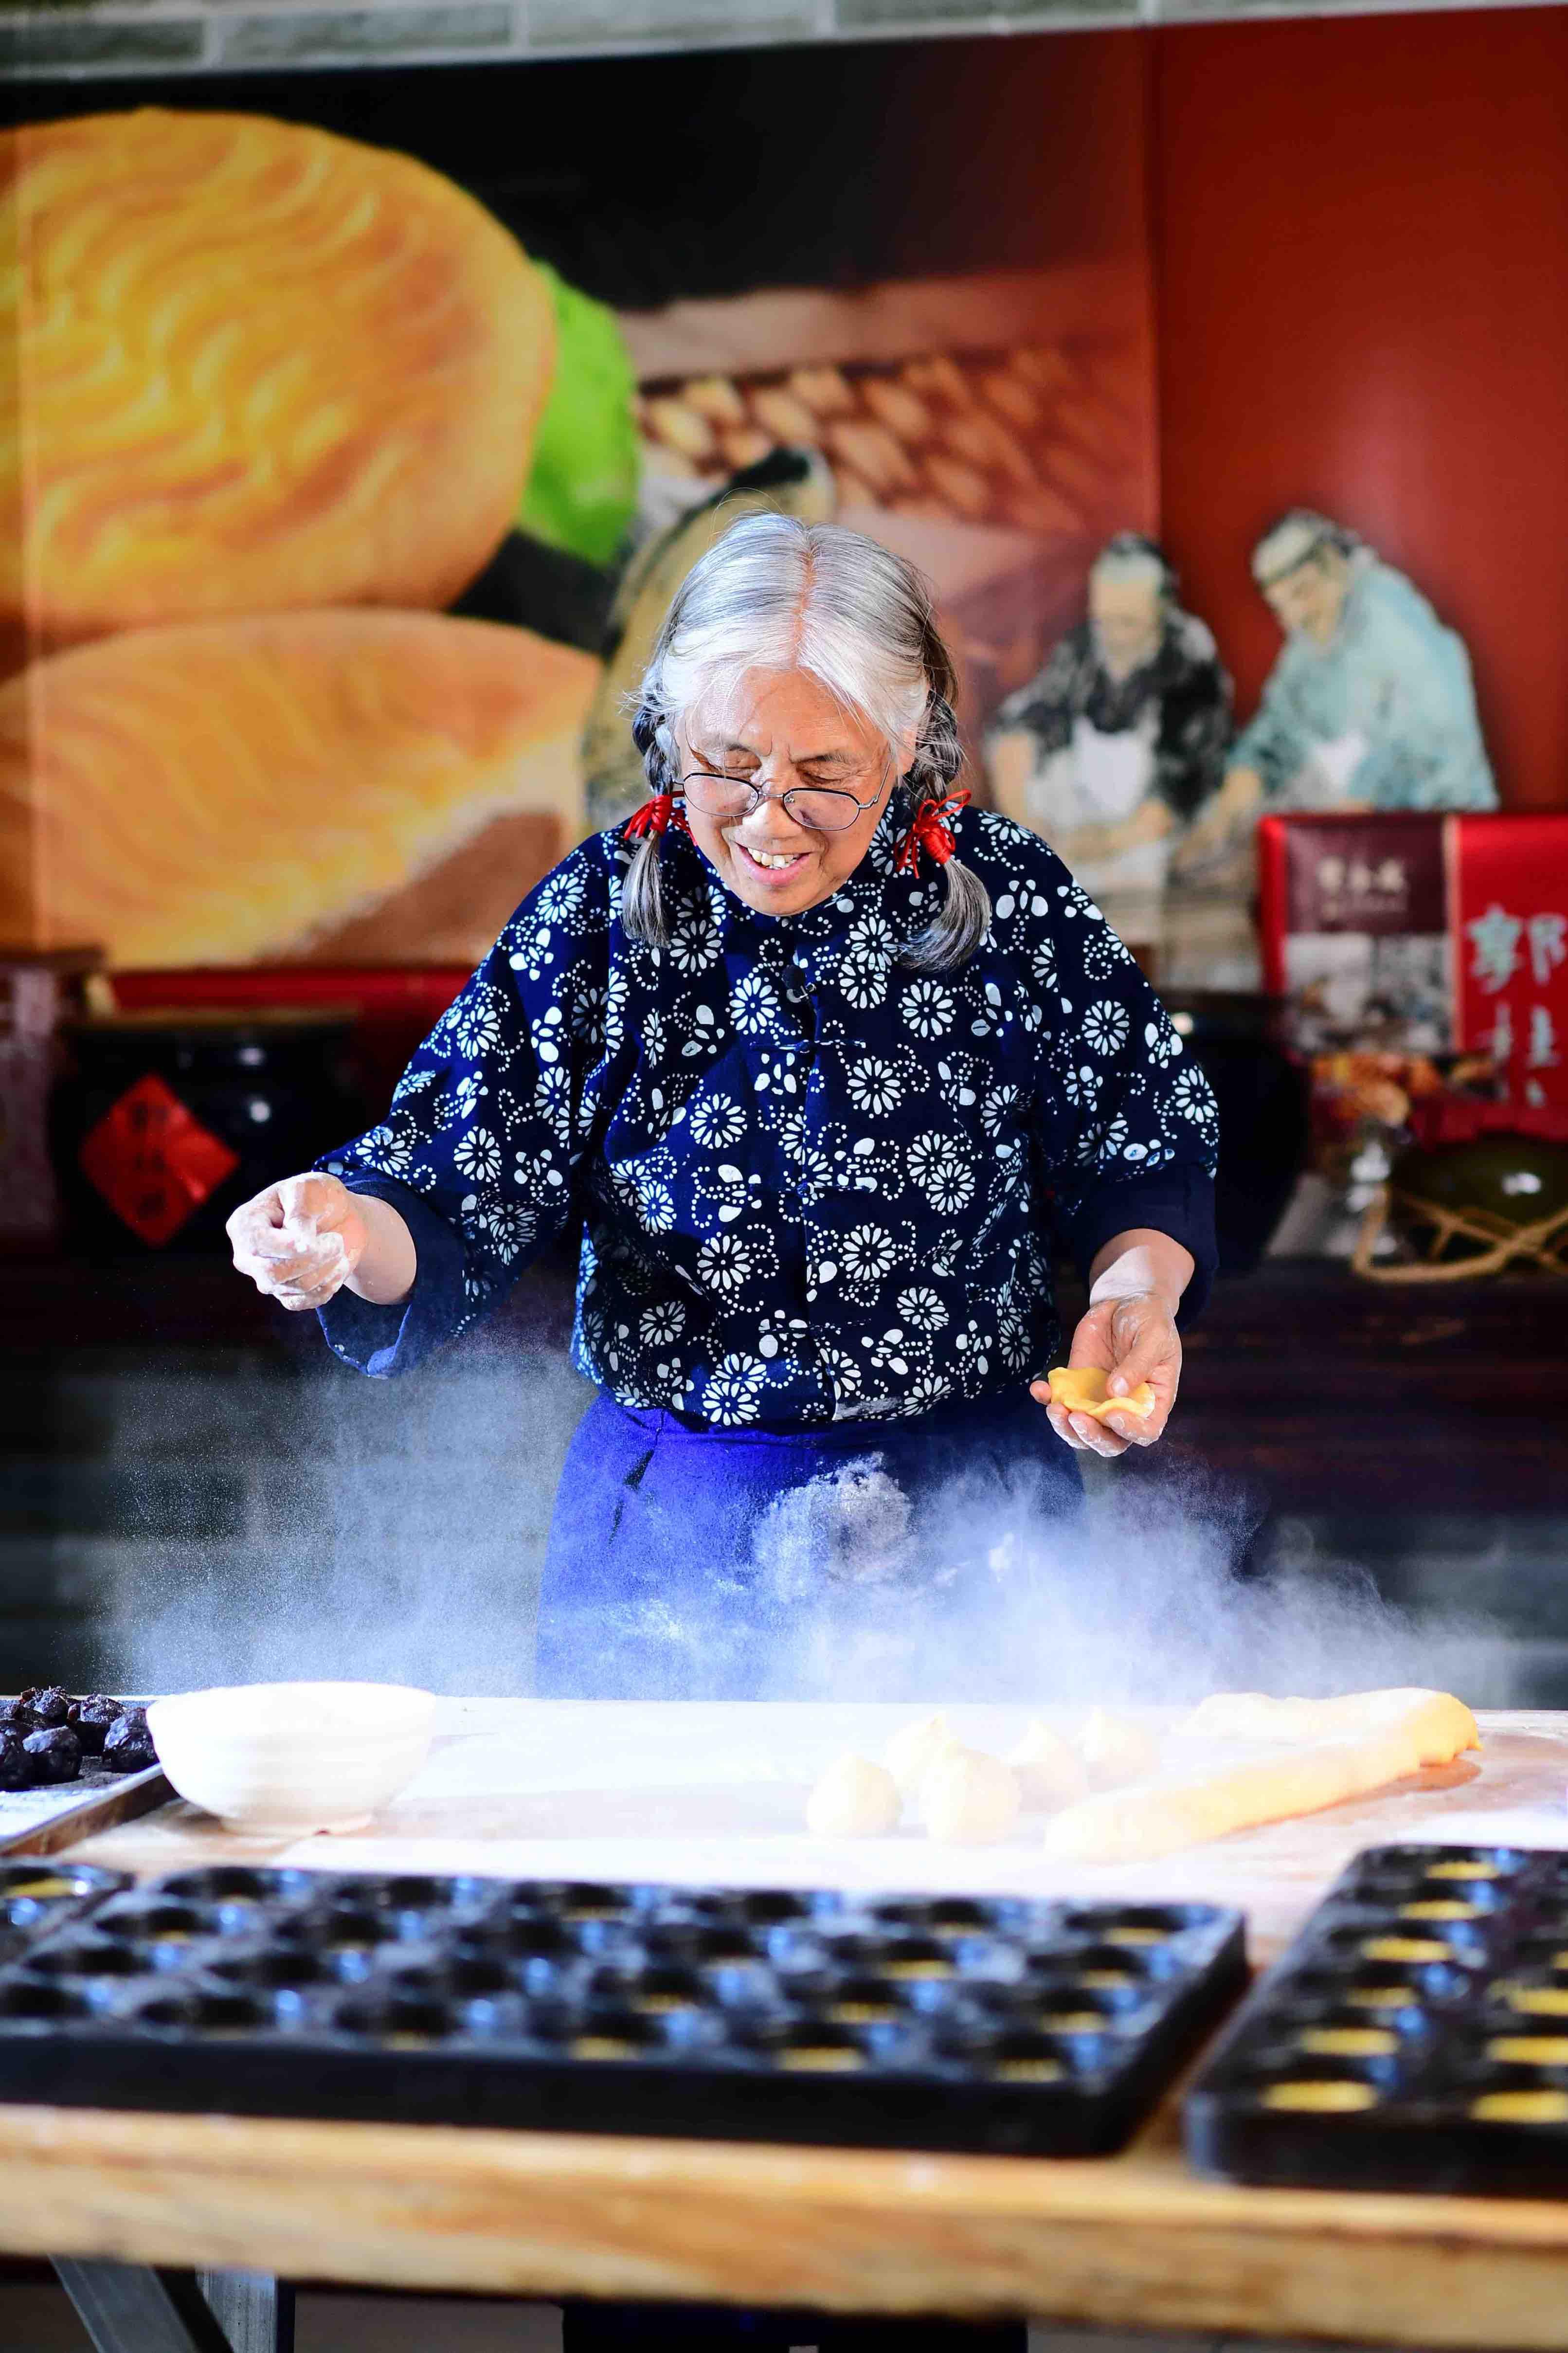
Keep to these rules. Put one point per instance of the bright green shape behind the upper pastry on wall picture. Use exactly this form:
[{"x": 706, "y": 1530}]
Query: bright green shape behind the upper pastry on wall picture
[{"x": 585, "y": 484}]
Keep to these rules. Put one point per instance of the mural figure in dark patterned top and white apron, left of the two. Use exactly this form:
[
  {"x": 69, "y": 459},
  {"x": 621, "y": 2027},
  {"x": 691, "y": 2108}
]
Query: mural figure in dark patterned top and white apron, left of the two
[{"x": 1122, "y": 738}]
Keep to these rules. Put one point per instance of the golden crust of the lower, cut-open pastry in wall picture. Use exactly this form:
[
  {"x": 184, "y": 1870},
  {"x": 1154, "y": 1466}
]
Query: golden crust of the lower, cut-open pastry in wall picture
[{"x": 222, "y": 792}]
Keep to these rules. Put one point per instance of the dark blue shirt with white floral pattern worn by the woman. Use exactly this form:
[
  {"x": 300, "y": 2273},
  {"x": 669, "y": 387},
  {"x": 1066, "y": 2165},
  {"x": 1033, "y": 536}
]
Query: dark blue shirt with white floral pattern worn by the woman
[{"x": 809, "y": 1180}]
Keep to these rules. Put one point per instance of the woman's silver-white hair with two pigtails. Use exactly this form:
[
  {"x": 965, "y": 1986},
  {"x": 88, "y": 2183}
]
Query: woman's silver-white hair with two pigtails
[{"x": 778, "y": 594}]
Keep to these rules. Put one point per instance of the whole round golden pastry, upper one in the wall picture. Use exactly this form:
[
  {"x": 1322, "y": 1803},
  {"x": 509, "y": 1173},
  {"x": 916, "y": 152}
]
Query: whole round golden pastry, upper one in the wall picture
[{"x": 265, "y": 368}]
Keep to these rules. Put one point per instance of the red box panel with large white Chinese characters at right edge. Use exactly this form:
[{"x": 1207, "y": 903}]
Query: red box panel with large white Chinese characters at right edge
[{"x": 1510, "y": 928}]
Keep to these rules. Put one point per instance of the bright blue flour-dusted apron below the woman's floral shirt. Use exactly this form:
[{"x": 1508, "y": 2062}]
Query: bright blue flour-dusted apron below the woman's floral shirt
[{"x": 842, "y": 1561}]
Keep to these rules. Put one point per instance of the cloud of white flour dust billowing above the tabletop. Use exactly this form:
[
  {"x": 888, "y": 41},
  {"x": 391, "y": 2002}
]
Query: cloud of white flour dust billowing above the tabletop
[{"x": 397, "y": 1531}]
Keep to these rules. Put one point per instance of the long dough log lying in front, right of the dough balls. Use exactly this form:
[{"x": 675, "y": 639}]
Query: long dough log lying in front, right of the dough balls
[{"x": 1138, "y": 1825}]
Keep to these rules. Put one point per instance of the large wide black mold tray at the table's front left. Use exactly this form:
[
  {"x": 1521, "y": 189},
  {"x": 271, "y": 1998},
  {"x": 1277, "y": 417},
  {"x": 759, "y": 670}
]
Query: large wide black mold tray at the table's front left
[{"x": 915, "y": 2022}]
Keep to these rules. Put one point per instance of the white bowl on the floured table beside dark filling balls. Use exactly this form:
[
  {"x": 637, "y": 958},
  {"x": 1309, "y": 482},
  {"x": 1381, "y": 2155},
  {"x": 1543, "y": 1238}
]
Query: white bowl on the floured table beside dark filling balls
[{"x": 291, "y": 1759}]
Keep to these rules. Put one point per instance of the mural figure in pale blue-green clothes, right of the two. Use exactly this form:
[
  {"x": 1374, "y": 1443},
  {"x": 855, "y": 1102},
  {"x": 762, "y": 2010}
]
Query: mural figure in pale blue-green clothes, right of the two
[{"x": 1371, "y": 702}]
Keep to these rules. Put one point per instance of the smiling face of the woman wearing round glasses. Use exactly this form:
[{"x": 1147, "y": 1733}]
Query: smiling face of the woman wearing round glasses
[{"x": 783, "y": 731}]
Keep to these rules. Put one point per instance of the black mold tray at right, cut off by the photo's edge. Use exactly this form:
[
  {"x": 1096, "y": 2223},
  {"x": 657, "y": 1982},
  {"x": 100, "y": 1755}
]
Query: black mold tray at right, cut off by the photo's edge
[{"x": 1414, "y": 2037}]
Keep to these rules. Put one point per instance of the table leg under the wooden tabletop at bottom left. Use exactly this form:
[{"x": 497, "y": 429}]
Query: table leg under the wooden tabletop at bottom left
[{"x": 135, "y": 2309}]
